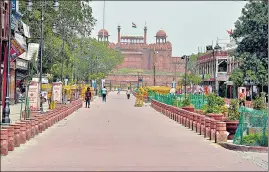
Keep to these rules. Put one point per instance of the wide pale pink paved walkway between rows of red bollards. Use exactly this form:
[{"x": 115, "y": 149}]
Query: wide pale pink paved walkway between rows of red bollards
[{"x": 117, "y": 136}]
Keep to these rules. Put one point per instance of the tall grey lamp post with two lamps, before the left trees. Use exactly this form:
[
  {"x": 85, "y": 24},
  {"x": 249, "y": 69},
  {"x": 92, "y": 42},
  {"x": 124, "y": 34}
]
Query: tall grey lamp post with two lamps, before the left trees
[{"x": 29, "y": 5}]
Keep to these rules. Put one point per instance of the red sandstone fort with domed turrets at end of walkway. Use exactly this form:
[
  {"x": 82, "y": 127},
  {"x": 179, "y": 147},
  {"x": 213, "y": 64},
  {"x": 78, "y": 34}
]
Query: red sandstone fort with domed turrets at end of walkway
[{"x": 138, "y": 54}]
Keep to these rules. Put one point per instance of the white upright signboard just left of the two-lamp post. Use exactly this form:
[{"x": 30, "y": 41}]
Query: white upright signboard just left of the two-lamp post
[{"x": 33, "y": 95}]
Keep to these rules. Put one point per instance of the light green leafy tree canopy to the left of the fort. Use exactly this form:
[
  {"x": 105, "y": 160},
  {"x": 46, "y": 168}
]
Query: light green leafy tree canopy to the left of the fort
[{"x": 69, "y": 43}]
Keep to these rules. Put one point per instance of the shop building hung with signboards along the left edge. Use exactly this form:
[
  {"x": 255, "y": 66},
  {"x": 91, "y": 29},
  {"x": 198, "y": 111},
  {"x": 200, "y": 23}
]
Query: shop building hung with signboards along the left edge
[{"x": 18, "y": 52}]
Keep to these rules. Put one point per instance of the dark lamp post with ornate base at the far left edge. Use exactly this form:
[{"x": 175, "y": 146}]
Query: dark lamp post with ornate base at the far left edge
[{"x": 6, "y": 111}]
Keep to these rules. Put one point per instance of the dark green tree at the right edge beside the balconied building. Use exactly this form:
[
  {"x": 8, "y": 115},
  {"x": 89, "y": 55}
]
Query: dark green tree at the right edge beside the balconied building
[{"x": 251, "y": 35}]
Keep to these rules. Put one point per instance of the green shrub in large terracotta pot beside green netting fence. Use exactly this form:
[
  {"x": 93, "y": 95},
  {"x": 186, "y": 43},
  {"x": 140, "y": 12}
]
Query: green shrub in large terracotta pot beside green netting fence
[{"x": 233, "y": 118}]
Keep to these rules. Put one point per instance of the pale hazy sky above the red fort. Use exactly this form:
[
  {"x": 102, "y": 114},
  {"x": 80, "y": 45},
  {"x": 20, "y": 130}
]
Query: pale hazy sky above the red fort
[{"x": 187, "y": 24}]
